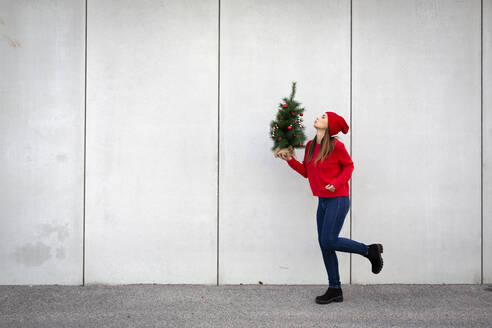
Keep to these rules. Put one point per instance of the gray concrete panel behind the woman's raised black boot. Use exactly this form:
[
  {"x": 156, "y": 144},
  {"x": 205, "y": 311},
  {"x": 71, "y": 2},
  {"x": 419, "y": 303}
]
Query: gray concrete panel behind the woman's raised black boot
[{"x": 416, "y": 139}]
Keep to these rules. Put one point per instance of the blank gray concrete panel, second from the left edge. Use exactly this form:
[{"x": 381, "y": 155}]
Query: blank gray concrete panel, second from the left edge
[{"x": 152, "y": 142}]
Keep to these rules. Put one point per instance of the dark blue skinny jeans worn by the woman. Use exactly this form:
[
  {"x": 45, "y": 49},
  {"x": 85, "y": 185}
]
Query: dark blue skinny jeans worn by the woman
[{"x": 330, "y": 217}]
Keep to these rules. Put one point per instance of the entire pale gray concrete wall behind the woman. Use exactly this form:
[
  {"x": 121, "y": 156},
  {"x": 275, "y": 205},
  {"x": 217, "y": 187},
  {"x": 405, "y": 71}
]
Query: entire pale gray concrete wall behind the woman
[{"x": 156, "y": 168}]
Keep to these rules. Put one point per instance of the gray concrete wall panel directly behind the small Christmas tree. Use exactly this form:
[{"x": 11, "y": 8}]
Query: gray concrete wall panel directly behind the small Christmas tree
[{"x": 267, "y": 211}]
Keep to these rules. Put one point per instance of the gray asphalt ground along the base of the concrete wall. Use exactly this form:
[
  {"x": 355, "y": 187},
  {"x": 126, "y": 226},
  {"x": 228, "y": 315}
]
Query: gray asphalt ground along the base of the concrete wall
[{"x": 157, "y": 305}]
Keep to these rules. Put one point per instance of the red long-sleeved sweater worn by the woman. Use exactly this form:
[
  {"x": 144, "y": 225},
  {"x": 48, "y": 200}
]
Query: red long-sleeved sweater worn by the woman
[{"x": 336, "y": 170}]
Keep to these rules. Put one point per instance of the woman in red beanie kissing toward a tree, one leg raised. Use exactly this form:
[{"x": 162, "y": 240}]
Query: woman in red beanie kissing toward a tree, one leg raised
[{"x": 328, "y": 167}]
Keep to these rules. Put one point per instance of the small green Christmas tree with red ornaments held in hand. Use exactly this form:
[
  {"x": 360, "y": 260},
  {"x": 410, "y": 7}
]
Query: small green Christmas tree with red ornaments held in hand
[{"x": 287, "y": 132}]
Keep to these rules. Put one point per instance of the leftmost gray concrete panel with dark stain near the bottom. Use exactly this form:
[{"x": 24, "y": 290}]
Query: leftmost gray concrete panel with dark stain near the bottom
[{"x": 41, "y": 141}]
